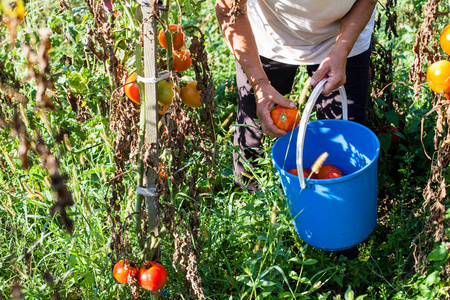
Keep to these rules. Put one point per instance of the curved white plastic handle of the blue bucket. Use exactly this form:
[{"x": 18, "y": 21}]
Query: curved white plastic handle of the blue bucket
[{"x": 304, "y": 122}]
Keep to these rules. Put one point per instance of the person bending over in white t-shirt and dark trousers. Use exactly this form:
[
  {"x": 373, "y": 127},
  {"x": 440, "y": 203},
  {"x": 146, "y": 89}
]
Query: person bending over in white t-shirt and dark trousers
[{"x": 270, "y": 39}]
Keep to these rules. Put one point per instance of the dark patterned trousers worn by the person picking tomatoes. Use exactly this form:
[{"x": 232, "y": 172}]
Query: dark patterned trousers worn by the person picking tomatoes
[{"x": 248, "y": 134}]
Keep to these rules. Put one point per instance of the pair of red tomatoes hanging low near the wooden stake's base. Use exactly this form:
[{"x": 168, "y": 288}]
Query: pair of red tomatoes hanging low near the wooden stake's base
[{"x": 151, "y": 276}]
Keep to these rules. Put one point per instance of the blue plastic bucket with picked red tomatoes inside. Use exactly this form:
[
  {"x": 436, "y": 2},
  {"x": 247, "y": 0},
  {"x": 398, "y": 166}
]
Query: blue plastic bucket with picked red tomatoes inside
[{"x": 330, "y": 214}]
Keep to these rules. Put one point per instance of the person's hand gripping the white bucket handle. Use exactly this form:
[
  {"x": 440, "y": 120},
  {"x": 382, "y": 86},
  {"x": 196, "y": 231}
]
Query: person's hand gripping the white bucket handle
[{"x": 333, "y": 68}]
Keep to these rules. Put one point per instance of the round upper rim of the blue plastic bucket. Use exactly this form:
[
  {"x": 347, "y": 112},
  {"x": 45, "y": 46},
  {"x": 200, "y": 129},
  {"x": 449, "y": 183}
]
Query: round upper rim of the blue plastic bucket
[{"x": 332, "y": 180}]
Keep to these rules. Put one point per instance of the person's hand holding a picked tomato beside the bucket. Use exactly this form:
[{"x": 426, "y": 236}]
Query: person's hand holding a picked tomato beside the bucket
[{"x": 266, "y": 97}]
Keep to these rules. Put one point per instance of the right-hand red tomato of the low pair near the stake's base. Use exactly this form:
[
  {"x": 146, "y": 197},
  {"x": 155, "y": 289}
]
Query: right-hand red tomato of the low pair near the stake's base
[{"x": 152, "y": 276}]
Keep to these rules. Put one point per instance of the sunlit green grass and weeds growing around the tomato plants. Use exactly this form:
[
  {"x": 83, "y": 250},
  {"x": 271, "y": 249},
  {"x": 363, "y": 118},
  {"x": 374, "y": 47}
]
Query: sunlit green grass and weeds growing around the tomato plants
[{"x": 249, "y": 247}]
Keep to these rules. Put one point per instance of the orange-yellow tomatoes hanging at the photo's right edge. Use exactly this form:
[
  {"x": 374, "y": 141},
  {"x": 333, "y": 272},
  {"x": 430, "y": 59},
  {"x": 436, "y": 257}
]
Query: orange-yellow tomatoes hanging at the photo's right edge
[{"x": 438, "y": 74}]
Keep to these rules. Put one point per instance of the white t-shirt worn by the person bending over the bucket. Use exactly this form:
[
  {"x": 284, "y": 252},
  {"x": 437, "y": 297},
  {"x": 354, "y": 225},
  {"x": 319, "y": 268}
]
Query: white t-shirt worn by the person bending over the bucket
[{"x": 301, "y": 32}]
